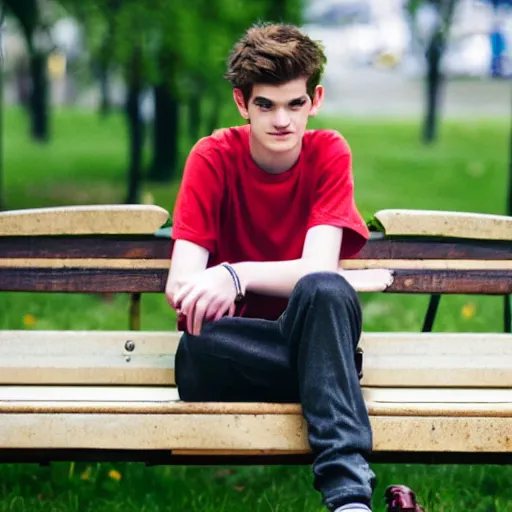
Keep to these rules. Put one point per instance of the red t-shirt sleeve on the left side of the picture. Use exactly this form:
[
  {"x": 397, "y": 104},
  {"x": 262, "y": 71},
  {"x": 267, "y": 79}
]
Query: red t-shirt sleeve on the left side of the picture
[{"x": 197, "y": 208}]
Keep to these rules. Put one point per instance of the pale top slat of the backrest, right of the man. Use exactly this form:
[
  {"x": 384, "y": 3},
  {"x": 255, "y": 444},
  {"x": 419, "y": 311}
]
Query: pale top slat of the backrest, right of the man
[{"x": 445, "y": 223}]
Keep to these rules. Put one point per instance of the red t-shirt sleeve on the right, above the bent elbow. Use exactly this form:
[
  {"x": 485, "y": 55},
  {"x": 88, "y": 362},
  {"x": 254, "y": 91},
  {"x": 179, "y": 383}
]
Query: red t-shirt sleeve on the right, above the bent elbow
[{"x": 334, "y": 203}]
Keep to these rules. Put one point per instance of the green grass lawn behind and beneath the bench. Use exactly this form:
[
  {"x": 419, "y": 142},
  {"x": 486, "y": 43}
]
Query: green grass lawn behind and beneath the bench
[{"x": 86, "y": 163}]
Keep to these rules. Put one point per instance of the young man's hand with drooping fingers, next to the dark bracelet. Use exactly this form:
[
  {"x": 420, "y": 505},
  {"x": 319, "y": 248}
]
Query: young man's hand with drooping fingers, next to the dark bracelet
[{"x": 208, "y": 295}]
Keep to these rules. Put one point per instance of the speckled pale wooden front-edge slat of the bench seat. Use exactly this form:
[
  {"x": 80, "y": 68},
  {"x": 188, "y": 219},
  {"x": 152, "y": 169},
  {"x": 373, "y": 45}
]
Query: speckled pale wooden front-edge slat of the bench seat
[{"x": 246, "y": 433}]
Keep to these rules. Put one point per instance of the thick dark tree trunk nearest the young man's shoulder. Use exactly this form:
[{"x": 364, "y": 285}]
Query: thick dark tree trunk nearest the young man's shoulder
[{"x": 165, "y": 135}]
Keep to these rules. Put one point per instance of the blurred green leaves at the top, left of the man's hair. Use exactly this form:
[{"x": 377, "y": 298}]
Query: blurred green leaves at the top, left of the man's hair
[{"x": 183, "y": 44}]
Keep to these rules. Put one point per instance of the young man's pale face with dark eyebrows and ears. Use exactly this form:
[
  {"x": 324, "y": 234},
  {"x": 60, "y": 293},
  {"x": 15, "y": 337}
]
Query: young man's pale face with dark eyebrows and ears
[{"x": 279, "y": 113}]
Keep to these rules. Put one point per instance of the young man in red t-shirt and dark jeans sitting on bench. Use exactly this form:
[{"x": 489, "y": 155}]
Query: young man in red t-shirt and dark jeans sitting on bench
[{"x": 264, "y": 213}]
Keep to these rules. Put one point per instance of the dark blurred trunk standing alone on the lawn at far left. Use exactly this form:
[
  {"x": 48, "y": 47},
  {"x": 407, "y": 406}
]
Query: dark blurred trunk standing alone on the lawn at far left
[{"x": 39, "y": 108}]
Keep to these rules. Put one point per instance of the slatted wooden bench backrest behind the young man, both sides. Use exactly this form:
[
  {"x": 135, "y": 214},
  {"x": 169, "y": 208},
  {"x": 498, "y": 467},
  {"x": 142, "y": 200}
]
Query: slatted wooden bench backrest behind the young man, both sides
[{"x": 77, "y": 250}]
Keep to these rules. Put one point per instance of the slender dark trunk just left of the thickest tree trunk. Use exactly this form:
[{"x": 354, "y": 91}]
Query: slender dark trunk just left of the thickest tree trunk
[{"x": 135, "y": 128}]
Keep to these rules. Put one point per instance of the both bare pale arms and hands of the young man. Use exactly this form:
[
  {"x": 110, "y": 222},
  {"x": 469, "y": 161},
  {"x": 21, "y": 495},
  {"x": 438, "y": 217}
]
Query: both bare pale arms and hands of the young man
[{"x": 198, "y": 293}]
